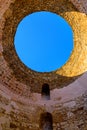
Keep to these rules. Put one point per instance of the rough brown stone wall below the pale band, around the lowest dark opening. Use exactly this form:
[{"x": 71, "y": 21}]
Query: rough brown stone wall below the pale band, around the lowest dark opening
[{"x": 69, "y": 115}]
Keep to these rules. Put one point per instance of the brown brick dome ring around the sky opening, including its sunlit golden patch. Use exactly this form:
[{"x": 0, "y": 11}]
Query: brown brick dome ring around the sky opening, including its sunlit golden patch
[{"x": 15, "y": 71}]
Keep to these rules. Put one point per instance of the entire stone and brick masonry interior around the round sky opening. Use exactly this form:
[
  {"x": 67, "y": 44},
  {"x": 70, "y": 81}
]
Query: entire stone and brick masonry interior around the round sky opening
[{"x": 20, "y": 99}]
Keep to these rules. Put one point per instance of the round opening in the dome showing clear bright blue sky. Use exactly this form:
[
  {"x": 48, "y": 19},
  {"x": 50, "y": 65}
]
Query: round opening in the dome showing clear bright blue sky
[{"x": 43, "y": 41}]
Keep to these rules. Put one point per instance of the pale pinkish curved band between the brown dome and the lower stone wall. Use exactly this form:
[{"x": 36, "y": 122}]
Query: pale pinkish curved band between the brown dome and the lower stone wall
[{"x": 65, "y": 96}]
